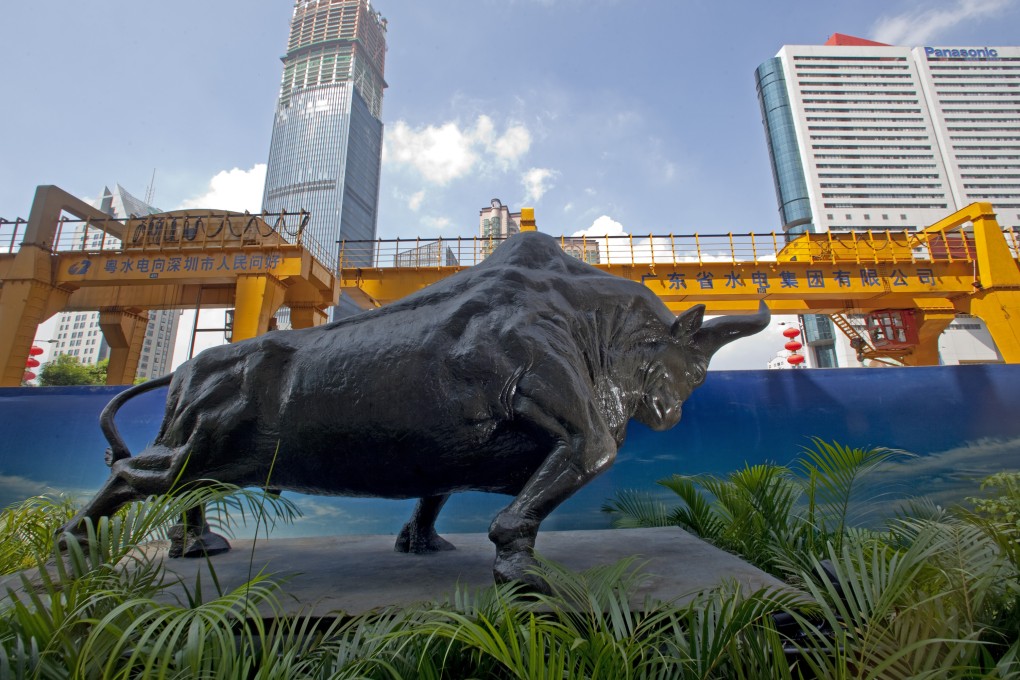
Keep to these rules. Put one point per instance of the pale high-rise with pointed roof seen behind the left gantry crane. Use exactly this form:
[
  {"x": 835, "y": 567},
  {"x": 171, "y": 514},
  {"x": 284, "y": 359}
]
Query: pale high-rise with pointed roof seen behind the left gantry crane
[{"x": 79, "y": 335}]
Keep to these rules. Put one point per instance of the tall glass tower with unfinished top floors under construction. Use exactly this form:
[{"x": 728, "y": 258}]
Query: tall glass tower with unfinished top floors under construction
[{"x": 327, "y": 144}]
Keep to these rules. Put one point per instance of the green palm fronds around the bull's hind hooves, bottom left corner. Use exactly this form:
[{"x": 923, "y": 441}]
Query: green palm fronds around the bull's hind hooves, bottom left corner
[{"x": 94, "y": 611}]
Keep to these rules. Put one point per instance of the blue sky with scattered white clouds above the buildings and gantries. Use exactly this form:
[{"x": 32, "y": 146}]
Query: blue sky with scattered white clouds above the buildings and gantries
[{"x": 641, "y": 114}]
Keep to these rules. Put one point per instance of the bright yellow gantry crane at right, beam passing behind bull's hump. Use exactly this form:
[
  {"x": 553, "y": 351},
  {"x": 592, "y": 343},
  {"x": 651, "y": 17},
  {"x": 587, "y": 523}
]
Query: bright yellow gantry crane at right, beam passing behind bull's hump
[{"x": 963, "y": 265}]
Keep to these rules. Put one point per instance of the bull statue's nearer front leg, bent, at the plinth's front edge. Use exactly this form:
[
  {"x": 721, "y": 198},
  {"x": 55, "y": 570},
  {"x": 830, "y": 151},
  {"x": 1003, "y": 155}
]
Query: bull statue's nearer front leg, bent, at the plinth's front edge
[{"x": 577, "y": 459}]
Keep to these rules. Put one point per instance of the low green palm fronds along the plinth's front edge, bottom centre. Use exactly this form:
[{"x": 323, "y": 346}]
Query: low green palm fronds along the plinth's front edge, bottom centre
[{"x": 589, "y": 627}]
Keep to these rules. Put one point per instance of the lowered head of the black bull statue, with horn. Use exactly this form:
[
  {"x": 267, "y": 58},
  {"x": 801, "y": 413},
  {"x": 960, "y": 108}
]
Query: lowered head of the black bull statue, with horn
[{"x": 680, "y": 367}]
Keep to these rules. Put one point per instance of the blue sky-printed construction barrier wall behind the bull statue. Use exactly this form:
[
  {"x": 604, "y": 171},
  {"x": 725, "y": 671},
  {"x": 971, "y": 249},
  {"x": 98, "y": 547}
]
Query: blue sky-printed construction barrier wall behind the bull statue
[{"x": 959, "y": 421}]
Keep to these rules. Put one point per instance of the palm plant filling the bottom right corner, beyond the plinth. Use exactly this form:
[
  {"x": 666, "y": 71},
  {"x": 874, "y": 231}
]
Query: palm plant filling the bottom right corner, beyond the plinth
[{"x": 922, "y": 611}]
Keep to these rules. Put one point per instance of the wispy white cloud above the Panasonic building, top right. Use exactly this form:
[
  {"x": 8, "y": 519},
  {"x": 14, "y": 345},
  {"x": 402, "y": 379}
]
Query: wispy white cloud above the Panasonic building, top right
[{"x": 924, "y": 26}]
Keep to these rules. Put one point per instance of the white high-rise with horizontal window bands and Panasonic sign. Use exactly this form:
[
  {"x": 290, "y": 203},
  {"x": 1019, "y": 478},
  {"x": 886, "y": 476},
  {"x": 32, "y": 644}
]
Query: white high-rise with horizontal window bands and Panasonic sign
[{"x": 866, "y": 136}]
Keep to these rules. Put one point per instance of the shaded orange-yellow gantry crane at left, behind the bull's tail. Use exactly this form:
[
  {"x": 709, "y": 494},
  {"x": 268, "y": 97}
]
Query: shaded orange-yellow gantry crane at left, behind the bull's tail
[{"x": 123, "y": 269}]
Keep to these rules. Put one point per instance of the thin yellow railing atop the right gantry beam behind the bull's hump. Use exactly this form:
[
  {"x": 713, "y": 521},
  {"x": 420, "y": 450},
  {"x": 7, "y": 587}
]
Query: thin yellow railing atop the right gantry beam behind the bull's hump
[{"x": 673, "y": 249}]
